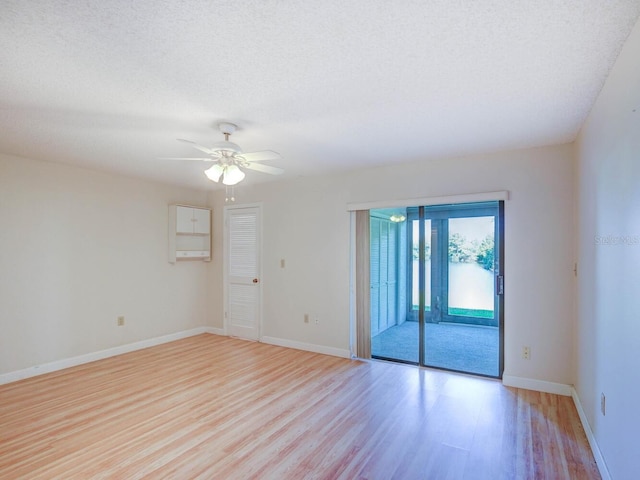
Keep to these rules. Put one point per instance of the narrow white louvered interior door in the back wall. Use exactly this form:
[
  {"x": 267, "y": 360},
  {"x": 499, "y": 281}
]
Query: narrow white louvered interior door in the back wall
[{"x": 242, "y": 258}]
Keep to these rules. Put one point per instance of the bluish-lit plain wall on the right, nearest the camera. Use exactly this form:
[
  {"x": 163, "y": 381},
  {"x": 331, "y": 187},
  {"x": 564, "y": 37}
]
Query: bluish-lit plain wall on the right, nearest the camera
[{"x": 608, "y": 334}]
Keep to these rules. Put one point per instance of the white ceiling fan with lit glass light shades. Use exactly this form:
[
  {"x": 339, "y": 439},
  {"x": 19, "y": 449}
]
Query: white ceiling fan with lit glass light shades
[{"x": 230, "y": 160}]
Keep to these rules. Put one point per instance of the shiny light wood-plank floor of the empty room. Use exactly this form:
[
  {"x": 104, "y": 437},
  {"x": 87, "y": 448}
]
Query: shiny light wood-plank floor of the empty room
[{"x": 213, "y": 407}]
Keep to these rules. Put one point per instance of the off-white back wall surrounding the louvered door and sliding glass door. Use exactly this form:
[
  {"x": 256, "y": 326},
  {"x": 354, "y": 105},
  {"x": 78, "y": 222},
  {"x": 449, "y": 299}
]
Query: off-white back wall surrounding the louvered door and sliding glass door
[{"x": 306, "y": 223}]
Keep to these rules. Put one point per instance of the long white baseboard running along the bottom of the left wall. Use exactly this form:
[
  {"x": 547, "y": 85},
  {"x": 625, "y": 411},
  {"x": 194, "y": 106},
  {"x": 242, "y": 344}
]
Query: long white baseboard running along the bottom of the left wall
[{"x": 99, "y": 355}]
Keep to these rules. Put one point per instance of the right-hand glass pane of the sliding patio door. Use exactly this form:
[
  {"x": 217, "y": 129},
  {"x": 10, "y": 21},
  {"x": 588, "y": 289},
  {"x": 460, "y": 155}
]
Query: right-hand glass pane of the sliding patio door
[{"x": 463, "y": 333}]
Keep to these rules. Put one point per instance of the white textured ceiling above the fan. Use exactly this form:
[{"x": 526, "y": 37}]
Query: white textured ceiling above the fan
[{"x": 331, "y": 85}]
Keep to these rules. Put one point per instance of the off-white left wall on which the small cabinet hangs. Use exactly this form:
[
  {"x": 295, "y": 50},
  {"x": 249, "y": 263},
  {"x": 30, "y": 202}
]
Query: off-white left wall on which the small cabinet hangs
[{"x": 78, "y": 248}]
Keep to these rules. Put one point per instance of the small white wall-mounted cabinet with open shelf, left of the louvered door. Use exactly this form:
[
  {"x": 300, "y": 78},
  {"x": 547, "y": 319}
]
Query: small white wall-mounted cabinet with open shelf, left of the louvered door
[{"x": 189, "y": 233}]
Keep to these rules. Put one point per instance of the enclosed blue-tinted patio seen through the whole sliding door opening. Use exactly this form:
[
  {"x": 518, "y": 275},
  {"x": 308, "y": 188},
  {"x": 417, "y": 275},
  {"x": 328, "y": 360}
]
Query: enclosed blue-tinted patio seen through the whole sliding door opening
[{"x": 451, "y": 285}]
